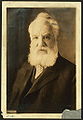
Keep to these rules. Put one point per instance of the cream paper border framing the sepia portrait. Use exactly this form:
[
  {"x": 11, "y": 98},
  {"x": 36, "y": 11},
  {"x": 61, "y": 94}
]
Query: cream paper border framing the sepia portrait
[{"x": 28, "y": 4}]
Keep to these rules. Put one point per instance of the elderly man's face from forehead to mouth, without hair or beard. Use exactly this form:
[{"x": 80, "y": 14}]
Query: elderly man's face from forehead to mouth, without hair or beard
[{"x": 42, "y": 38}]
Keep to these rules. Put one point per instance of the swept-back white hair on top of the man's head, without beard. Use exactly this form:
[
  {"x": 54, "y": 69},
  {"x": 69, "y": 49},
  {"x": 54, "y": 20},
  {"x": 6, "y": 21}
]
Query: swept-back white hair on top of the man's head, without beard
[{"x": 45, "y": 17}]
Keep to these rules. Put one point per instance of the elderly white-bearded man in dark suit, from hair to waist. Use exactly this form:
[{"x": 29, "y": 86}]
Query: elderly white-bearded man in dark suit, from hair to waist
[{"x": 46, "y": 81}]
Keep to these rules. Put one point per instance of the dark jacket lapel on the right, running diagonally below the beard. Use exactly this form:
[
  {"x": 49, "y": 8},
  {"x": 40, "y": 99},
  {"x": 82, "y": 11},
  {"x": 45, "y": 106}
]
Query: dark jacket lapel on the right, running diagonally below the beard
[{"x": 51, "y": 73}]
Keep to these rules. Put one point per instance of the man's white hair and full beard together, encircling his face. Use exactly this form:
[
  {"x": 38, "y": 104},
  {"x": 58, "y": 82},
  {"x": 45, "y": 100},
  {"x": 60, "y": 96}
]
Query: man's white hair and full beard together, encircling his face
[{"x": 50, "y": 58}]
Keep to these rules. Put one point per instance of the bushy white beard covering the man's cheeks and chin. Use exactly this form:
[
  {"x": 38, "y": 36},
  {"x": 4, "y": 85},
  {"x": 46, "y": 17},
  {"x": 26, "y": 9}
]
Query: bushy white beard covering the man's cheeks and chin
[{"x": 44, "y": 59}]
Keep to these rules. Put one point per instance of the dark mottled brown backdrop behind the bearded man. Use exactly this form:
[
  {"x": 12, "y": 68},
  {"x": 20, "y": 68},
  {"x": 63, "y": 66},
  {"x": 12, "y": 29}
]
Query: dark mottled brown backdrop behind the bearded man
[{"x": 18, "y": 20}]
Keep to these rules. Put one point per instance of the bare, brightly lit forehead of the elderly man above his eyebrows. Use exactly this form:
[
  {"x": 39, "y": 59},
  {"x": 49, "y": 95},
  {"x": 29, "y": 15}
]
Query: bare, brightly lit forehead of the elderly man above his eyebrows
[{"x": 40, "y": 28}]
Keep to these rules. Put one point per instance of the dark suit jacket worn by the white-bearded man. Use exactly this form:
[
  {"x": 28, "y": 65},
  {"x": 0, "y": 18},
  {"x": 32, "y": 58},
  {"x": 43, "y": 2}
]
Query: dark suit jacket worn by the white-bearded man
[{"x": 54, "y": 90}]
